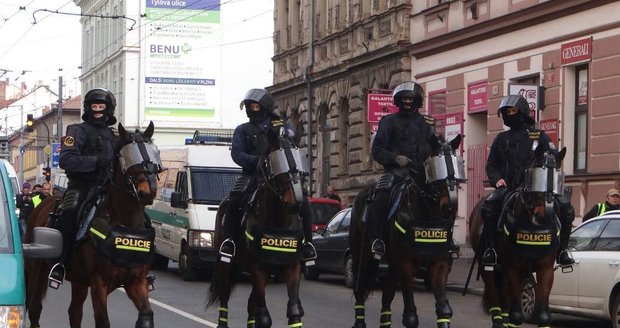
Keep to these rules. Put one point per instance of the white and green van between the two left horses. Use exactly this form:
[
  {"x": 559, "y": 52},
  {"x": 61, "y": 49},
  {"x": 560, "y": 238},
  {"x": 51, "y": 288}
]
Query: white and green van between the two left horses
[{"x": 197, "y": 177}]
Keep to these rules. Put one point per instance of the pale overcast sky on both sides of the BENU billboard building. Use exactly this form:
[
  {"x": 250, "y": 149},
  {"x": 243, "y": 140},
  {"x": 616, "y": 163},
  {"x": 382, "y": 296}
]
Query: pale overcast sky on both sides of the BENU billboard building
[{"x": 40, "y": 50}]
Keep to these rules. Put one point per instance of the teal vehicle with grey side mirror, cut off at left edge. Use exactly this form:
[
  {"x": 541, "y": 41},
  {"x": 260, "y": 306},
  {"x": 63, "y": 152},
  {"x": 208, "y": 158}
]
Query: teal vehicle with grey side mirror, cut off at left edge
[{"x": 47, "y": 243}]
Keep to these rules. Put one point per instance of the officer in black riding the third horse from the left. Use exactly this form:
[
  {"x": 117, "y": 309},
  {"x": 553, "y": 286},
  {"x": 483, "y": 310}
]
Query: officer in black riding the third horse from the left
[{"x": 401, "y": 141}]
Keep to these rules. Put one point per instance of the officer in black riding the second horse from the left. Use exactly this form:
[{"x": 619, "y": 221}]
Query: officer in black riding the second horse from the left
[{"x": 251, "y": 142}]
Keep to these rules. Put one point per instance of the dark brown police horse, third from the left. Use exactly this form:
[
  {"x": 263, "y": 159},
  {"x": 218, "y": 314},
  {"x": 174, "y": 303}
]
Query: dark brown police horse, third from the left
[{"x": 418, "y": 229}]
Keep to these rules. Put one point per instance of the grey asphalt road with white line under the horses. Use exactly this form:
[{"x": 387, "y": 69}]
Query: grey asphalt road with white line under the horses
[{"x": 327, "y": 303}]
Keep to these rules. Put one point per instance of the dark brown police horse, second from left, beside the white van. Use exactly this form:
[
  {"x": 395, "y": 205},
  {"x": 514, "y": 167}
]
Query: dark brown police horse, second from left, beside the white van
[{"x": 271, "y": 241}]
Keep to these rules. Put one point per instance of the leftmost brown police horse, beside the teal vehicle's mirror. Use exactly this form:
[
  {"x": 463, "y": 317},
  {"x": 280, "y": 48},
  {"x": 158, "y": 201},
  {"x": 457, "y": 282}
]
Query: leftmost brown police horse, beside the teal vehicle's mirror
[{"x": 118, "y": 247}]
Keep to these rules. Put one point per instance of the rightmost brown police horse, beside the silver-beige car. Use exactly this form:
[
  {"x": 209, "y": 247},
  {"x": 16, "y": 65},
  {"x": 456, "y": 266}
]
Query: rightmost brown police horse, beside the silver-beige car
[{"x": 527, "y": 242}]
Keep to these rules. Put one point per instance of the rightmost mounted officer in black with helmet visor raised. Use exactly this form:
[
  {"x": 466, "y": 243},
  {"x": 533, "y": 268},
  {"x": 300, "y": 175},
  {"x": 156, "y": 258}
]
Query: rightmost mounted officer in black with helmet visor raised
[{"x": 508, "y": 159}]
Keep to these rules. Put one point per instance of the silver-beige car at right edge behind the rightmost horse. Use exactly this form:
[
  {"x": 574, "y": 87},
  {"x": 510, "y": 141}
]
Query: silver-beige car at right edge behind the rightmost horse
[{"x": 592, "y": 289}]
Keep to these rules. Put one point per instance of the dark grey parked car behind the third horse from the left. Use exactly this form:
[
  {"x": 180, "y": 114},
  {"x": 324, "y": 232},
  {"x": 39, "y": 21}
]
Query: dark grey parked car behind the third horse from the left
[{"x": 334, "y": 253}]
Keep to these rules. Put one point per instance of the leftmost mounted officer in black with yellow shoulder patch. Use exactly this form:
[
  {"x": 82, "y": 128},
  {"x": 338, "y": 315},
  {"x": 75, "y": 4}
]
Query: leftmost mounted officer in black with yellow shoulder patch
[{"x": 86, "y": 155}]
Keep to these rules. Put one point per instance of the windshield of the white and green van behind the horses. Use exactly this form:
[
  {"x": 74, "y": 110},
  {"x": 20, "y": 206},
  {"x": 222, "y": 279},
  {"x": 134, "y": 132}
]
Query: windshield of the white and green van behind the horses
[{"x": 211, "y": 185}]
